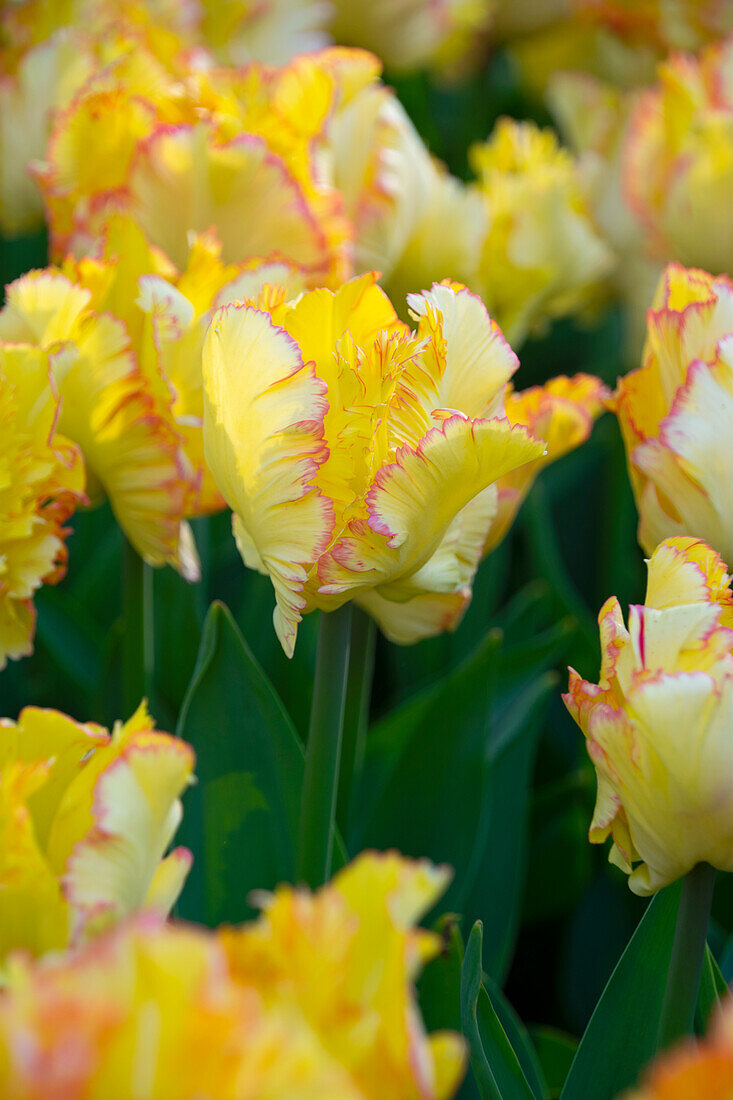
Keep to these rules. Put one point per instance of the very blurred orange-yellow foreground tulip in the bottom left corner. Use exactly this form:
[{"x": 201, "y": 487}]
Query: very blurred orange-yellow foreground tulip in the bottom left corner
[{"x": 151, "y": 1013}]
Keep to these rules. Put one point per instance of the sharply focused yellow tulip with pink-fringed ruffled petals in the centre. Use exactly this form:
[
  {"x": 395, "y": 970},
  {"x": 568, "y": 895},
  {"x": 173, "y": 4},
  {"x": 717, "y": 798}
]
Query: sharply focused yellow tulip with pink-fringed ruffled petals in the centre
[{"x": 358, "y": 457}]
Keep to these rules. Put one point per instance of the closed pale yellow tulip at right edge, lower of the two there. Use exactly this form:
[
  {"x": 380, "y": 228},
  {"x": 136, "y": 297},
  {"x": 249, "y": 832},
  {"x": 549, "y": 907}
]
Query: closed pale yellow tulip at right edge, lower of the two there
[{"x": 658, "y": 724}]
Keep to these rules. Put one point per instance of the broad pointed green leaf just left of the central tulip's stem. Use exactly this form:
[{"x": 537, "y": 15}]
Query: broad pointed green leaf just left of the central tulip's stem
[{"x": 240, "y": 820}]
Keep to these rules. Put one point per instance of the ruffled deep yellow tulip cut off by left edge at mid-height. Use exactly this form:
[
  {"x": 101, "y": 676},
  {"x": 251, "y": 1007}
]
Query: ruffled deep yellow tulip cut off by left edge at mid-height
[{"x": 41, "y": 483}]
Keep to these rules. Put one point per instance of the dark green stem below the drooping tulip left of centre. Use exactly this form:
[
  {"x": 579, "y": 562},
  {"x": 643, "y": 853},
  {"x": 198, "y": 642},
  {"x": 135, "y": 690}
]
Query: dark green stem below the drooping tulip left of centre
[{"x": 138, "y": 639}]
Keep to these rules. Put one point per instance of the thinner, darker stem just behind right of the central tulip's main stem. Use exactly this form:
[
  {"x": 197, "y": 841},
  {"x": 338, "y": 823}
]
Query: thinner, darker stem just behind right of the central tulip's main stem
[{"x": 356, "y": 717}]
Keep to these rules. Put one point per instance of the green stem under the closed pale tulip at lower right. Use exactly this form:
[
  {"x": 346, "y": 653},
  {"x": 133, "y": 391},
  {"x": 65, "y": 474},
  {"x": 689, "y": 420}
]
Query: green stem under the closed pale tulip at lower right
[{"x": 687, "y": 955}]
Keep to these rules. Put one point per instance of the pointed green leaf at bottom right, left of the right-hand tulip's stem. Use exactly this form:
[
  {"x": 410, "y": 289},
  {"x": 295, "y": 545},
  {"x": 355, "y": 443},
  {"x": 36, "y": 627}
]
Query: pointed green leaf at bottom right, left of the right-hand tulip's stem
[{"x": 621, "y": 1038}]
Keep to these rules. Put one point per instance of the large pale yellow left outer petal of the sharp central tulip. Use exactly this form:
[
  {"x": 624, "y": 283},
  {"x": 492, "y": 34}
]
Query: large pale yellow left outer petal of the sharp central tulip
[{"x": 265, "y": 442}]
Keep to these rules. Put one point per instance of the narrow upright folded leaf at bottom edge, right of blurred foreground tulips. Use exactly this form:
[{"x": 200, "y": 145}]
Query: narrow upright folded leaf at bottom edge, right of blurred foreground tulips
[{"x": 495, "y": 1064}]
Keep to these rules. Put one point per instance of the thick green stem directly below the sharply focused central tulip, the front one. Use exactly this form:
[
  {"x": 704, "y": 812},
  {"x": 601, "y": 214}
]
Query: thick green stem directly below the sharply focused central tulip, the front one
[{"x": 321, "y": 782}]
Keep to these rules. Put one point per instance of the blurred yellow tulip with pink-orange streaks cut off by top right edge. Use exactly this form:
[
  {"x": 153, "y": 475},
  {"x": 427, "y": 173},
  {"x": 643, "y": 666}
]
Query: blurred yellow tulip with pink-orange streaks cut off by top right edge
[{"x": 680, "y": 160}]
